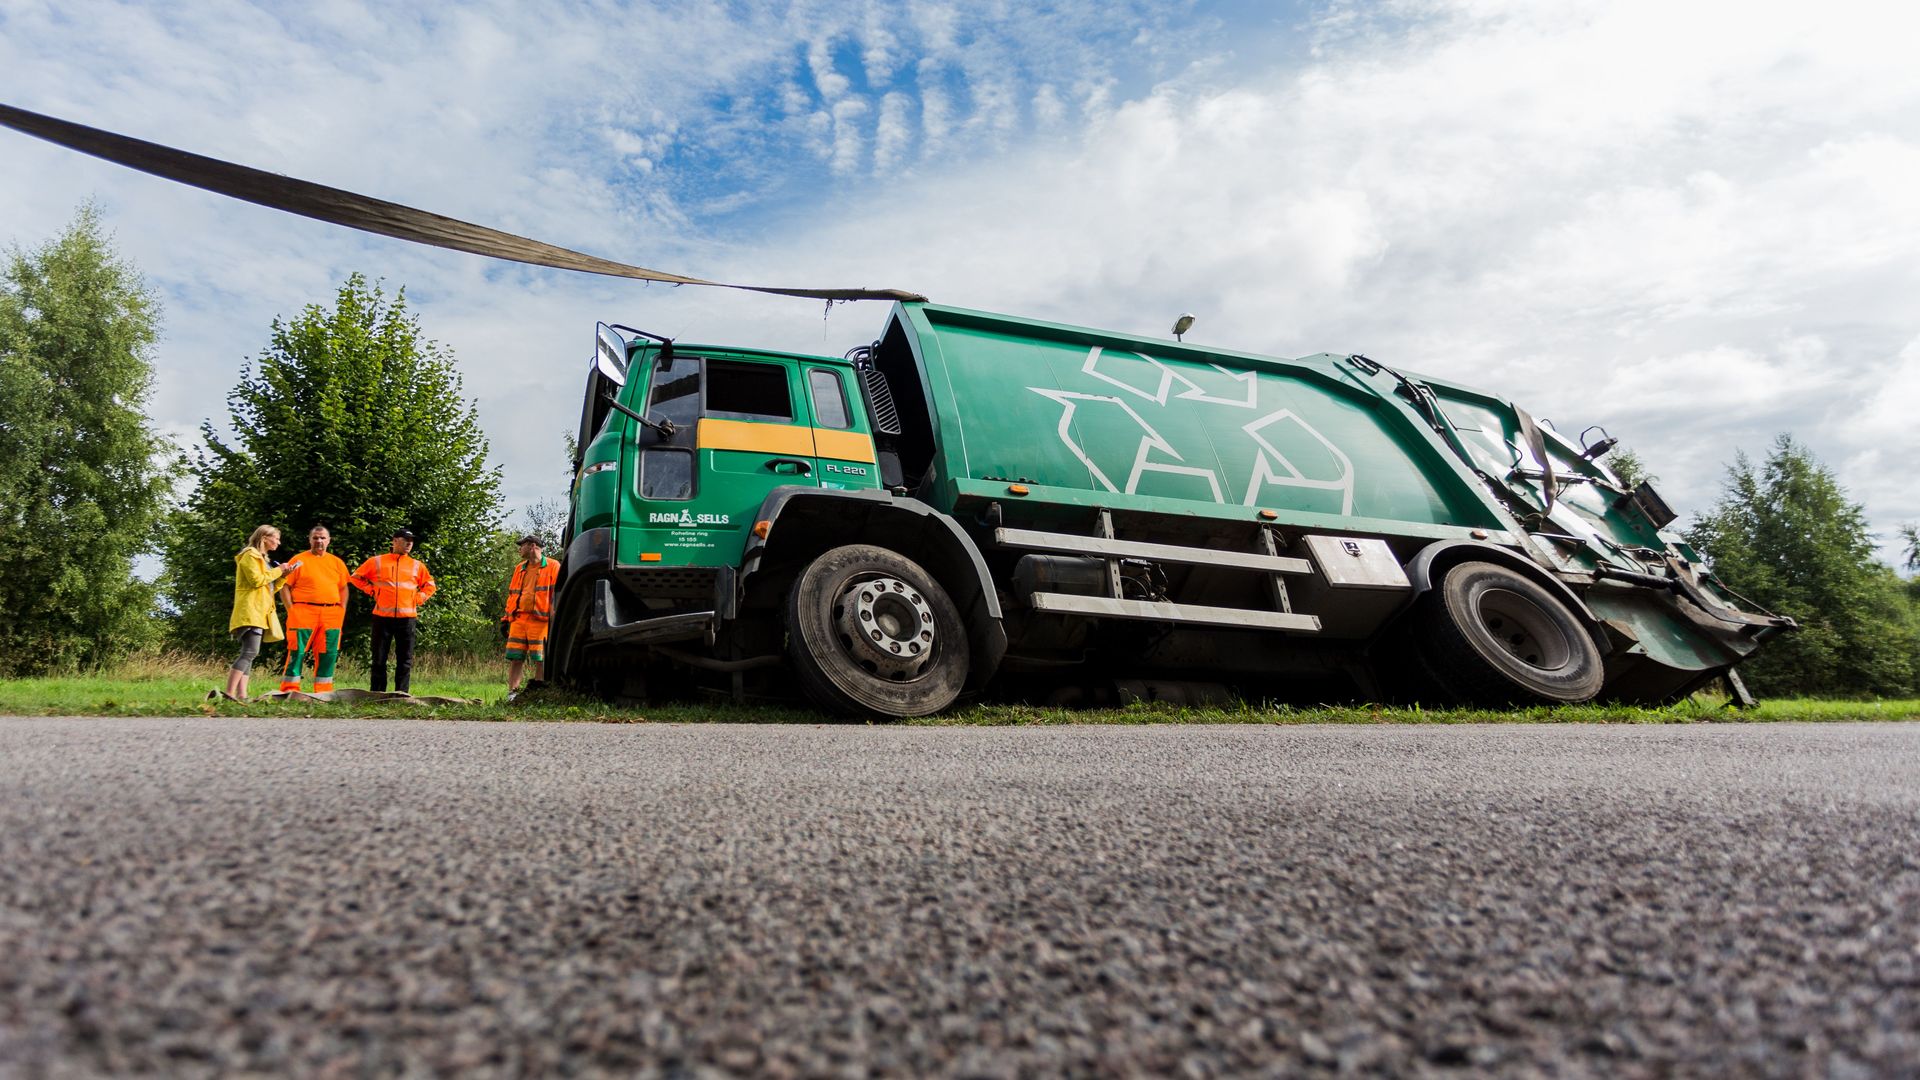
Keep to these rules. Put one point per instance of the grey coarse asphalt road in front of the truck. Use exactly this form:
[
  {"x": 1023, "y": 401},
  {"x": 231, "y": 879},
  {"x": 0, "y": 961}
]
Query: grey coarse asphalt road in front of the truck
[{"x": 391, "y": 896}]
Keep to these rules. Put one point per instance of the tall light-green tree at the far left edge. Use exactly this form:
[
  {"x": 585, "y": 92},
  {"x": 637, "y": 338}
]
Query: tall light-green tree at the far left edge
[{"x": 84, "y": 476}]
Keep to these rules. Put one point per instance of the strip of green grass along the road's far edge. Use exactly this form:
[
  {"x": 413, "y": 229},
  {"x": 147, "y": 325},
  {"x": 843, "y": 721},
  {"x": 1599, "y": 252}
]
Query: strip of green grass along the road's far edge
[{"x": 172, "y": 687}]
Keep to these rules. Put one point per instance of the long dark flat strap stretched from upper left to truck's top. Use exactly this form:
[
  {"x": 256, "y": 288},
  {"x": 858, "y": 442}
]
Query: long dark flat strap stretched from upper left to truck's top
[{"x": 364, "y": 212}]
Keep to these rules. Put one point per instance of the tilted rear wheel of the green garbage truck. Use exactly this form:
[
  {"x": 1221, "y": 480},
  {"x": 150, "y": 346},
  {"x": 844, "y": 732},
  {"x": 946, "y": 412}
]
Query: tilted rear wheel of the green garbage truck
[{"x": 1491, "y": 637}]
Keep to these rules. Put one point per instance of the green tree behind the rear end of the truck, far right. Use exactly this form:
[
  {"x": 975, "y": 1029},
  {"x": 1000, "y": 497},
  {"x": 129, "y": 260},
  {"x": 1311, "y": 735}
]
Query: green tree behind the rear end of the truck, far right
[{"x": 1787, "y": 537}]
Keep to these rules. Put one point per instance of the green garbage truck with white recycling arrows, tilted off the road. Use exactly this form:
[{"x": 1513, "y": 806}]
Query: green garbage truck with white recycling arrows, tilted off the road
[{"x": 980, "y": 504}]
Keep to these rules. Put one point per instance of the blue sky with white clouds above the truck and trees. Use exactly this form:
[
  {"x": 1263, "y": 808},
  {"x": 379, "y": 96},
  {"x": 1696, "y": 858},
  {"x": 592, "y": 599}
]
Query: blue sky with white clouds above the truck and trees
[{"x": 1692, "y": 224}]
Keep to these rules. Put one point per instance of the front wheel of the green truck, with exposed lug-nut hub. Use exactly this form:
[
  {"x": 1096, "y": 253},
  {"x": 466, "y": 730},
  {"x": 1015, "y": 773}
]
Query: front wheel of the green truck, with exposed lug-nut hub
[{"x": 911, "y": 658}]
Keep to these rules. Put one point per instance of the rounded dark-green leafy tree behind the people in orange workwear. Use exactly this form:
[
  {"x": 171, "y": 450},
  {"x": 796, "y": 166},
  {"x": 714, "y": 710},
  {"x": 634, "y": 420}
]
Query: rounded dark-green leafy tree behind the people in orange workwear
[{"x": 350, "y": 420}]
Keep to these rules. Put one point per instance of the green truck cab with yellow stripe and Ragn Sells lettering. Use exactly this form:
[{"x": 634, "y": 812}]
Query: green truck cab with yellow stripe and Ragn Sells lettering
[{"x": 681, "y": 451}]
